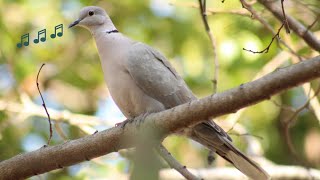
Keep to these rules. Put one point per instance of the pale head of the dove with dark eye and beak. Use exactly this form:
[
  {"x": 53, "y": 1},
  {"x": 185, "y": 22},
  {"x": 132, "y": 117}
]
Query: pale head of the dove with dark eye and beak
[{"x": 92, "y": 18}]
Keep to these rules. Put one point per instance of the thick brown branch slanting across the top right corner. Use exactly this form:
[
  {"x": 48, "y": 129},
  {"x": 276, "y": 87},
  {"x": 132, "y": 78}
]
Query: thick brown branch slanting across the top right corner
[{"x": 295, "y": 25}]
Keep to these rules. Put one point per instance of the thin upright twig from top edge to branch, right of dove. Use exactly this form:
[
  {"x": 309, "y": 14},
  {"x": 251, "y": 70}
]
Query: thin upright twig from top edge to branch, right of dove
[{"x": 203, "y": 13}]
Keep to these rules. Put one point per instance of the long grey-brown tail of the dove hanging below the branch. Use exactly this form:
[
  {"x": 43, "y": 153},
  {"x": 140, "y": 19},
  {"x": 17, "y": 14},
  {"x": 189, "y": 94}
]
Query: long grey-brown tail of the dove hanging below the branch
[{"x": 216, "y": 139}]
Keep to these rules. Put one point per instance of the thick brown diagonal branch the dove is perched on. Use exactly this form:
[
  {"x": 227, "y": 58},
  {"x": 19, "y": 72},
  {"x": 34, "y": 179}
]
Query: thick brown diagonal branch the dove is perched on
[{"x": 167, "y": 122}]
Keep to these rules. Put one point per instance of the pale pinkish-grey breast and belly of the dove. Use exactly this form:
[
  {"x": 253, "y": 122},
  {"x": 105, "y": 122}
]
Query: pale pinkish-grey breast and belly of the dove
[{"x": 131, "y": 100}]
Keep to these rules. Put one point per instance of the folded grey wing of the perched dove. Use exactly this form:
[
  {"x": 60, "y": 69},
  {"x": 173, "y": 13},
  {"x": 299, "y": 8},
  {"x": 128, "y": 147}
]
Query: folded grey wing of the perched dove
[{"x": 156, "y": 77}]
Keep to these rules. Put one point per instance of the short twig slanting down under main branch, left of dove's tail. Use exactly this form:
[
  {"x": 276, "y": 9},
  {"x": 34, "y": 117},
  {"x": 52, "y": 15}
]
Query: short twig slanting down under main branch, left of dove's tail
[{"x": 173, "y": 163}]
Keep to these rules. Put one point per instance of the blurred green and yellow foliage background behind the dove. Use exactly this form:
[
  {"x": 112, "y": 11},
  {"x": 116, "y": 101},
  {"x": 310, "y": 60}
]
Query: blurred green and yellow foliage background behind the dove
[{"x": 73, "y": 78}]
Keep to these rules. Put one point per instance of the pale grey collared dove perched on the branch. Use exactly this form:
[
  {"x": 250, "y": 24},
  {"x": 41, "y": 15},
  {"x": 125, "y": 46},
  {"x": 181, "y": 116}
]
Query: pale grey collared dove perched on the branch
[{"x": 141, "y": 80}]
